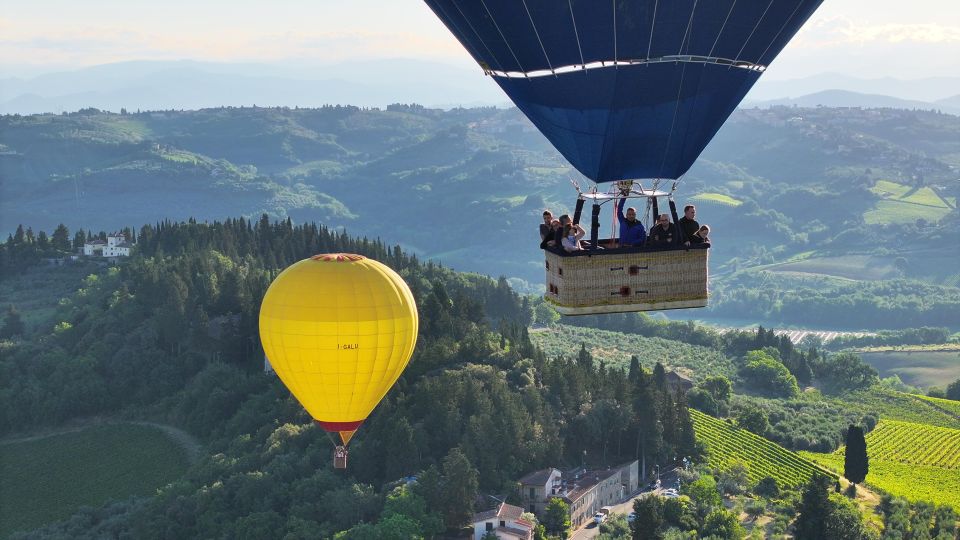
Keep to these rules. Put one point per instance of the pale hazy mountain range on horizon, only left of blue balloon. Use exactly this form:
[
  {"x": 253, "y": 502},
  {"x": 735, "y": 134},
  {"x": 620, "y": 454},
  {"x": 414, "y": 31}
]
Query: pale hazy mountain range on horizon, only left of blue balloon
[{"x": 196, "y": 85}]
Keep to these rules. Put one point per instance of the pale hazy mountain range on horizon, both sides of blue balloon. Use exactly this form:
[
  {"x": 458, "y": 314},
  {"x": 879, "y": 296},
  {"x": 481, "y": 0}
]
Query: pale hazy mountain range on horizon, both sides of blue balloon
[{"x": 192, "y": 85}]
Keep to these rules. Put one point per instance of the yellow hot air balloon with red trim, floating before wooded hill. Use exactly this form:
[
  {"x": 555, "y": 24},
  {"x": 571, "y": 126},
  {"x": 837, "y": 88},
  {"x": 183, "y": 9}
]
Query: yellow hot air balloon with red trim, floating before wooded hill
[{"x": 338, "y": 330}]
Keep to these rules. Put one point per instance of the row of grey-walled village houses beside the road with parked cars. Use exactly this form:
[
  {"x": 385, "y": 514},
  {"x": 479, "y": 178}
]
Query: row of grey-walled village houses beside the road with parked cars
[{"x": 585, "y": 490}]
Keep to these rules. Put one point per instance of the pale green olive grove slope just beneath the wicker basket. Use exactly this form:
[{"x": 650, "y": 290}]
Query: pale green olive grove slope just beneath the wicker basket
[{"x": 616, "y": 348}]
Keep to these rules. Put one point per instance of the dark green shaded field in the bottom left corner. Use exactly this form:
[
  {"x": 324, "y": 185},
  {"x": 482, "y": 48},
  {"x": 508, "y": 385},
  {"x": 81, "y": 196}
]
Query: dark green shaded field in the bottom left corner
[{"x": 47, "y": 479}]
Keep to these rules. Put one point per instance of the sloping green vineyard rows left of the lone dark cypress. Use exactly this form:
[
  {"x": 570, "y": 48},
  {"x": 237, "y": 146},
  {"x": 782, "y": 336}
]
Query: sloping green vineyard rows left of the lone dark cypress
[{"x": 728, "y": 444}]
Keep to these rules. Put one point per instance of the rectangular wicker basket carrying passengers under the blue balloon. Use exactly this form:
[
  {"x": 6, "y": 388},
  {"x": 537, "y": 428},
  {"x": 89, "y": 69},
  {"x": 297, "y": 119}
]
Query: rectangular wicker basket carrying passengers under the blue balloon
[{"x": 617, "y": 281}]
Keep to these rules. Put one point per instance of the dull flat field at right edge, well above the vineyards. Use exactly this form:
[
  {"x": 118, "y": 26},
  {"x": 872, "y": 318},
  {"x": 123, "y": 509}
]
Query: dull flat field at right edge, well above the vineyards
[{"x": 916, "y": 368}]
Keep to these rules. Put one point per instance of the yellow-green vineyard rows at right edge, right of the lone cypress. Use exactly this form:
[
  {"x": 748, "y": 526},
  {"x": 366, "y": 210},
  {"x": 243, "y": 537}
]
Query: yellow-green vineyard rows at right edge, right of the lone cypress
[{"x": 914, "y": 444}]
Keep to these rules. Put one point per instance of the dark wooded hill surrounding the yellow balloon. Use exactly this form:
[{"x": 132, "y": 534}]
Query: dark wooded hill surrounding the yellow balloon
[{"x": 171, "y": 335}]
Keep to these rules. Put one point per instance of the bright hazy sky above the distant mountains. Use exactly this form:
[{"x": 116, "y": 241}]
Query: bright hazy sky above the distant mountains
[{"x": 864, "y": 38}]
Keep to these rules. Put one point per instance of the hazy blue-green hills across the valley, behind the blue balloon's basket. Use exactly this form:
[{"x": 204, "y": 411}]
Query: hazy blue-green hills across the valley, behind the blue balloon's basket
[{"x": 427, "y": 177}]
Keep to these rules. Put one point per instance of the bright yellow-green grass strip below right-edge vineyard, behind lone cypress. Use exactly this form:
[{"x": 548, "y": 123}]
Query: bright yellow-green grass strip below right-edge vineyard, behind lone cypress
[{"x": 913, "y": 482}]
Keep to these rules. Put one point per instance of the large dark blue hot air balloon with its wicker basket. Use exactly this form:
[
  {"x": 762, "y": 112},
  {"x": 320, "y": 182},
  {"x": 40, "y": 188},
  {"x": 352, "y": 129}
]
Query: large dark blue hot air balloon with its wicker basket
[{"x": 625, "y": 90}]
